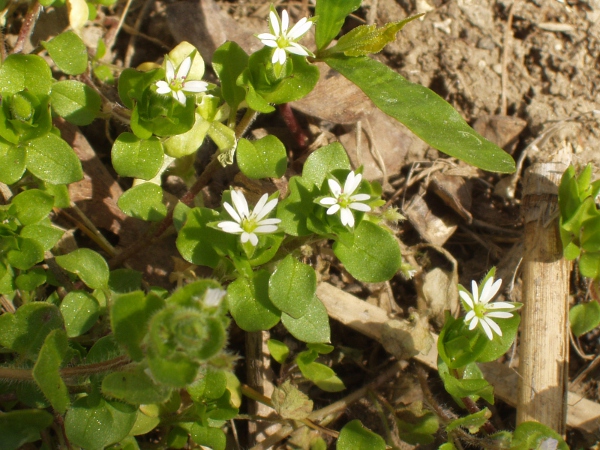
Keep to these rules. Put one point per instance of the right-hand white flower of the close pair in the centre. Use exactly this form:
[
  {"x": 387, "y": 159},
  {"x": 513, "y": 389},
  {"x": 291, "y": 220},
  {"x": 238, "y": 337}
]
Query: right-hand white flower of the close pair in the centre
[{"x": 344, "y": 201}]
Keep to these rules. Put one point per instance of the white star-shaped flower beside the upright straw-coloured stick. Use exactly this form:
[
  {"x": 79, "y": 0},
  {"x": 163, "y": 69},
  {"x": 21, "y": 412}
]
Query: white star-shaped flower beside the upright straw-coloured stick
[{"x": 480, "y": 310}]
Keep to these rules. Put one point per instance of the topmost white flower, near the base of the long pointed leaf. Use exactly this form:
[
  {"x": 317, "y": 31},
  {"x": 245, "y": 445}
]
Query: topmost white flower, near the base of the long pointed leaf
[{"x": 282, "y": 40}]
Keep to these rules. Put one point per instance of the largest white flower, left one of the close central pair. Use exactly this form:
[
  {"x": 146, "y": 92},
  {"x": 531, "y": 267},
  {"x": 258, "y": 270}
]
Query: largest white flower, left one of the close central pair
[{"x": 247, "y": 223}]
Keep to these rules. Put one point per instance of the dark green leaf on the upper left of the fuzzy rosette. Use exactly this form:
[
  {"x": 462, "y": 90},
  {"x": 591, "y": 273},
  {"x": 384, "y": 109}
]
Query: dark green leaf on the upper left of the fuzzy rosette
[{"x": 129, "y": 316}]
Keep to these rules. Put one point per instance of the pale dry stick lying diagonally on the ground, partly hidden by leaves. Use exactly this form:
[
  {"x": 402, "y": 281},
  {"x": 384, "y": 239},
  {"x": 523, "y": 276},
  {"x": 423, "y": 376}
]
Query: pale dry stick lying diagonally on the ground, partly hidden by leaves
[{"x": 370, "y": 320}]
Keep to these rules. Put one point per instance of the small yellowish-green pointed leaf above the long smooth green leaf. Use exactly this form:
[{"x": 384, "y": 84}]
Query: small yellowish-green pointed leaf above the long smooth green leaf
[{"x": 366, "y": 39}]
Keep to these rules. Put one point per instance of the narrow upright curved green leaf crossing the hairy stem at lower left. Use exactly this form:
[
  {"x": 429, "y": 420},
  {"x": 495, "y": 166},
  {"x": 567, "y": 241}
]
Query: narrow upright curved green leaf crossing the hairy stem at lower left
[{"x": 46, "y": 370}]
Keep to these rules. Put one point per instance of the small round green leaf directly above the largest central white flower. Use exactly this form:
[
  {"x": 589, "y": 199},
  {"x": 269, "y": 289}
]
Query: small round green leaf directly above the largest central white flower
[{"x": 264, "y": 158}]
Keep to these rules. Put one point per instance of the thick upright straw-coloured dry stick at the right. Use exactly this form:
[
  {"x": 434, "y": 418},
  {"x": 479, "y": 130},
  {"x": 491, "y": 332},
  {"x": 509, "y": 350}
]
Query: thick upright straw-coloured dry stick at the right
[{"x": 544, "y": 342}]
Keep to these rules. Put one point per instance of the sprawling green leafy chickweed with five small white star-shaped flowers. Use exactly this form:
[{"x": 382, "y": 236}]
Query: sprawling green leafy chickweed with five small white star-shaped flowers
[{"x": 94, "y": 357}]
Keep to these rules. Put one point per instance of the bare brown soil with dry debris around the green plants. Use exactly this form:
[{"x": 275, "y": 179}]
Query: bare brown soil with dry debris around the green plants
[{"x": 524, "y": 73}]
